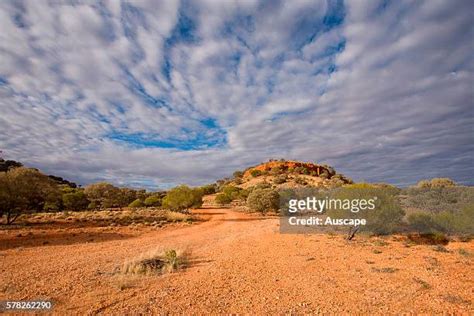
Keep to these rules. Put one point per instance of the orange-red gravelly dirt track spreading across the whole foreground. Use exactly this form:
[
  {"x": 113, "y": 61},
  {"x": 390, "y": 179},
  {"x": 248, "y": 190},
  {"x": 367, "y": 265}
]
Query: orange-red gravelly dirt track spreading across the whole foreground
[{"x": 242, "y": 264}]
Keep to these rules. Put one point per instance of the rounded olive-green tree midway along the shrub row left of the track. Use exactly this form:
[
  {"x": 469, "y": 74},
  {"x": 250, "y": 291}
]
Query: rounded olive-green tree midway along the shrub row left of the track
[{"x": 103, "y": 195}]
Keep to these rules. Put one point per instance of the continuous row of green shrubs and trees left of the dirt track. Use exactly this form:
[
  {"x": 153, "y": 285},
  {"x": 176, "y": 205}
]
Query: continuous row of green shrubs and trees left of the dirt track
[{"x": 25, "y": 190}]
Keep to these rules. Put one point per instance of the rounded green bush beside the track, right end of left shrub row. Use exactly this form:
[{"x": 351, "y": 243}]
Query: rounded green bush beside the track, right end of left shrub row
[{"x": 182, "y": 197}]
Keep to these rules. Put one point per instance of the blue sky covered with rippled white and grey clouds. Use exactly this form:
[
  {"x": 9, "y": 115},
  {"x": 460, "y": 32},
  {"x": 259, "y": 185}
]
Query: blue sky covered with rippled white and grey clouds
[{"x": 157, "y": 93}]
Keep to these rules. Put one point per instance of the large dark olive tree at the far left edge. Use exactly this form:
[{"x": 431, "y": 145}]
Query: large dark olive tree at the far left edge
[{"x": 23, "y": 190}]
